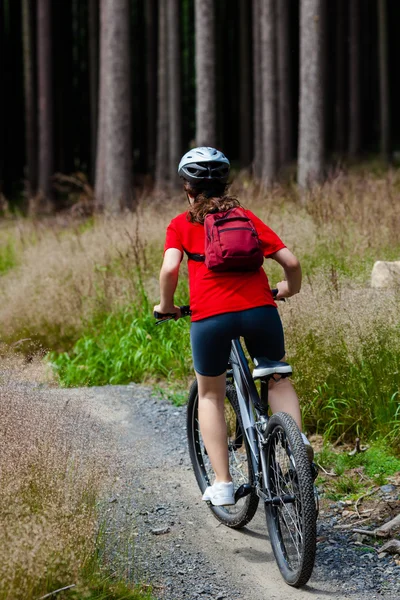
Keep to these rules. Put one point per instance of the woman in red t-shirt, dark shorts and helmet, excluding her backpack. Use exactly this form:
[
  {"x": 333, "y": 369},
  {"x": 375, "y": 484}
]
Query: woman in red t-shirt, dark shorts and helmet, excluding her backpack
[{"x": 225, "y": 305}]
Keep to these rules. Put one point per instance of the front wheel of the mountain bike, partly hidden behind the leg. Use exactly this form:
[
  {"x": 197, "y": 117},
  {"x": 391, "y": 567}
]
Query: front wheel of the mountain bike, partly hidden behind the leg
[{"x": 240, "y": 465}]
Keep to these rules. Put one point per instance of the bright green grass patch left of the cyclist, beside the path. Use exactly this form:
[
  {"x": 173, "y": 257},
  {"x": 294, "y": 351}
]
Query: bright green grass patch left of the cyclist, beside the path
[{"x": 127, "y": 346}]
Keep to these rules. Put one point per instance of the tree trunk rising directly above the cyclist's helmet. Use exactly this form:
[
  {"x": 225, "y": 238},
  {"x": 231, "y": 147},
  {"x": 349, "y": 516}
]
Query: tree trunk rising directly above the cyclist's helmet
[{"x": 205, "y": 73}]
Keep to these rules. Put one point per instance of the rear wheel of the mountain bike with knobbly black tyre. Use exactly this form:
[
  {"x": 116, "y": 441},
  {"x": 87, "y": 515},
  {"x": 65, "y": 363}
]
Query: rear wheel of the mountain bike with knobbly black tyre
[{"x": 291, "y": 519}]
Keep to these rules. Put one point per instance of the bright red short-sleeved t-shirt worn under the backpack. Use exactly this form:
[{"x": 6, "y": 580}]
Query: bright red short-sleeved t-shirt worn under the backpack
[{"x": 214, "y": 293}]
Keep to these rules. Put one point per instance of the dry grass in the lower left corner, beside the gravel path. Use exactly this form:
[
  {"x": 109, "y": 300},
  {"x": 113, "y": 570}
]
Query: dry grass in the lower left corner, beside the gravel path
[{"x": 52, "y": 469}]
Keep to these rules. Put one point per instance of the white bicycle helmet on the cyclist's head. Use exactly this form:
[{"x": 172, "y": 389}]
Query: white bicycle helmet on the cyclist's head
[{"x": 204, "y": 165}]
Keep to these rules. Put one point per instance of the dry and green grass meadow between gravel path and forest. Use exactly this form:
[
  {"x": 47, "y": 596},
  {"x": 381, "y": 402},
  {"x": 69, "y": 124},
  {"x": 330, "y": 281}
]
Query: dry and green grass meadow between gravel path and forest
[{"x": 87, "y": 282}]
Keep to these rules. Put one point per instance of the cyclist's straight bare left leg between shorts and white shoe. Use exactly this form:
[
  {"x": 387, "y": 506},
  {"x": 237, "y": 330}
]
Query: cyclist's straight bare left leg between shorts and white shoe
[{"x": 212, "y": 423}]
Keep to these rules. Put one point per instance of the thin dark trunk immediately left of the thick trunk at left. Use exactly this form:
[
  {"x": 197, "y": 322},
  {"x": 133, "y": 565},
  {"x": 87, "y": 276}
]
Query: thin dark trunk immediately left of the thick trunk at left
[{"x": 93, "y": 18}]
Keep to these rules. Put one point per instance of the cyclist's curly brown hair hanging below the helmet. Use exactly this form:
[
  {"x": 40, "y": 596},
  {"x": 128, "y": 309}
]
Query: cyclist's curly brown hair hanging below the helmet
[{"x": 214, "y": 199}]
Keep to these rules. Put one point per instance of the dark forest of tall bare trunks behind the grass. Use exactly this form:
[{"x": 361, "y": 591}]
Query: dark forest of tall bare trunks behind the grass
[{"x": 111, "y": 100}]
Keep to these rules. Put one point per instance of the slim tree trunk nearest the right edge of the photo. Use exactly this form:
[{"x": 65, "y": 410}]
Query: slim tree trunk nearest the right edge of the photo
[{"x": 384, "y": 98}]
